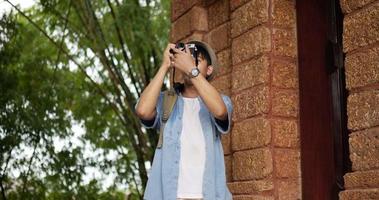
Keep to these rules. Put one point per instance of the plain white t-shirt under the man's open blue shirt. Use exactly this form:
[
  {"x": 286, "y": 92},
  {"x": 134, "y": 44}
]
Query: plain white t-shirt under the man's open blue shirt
[{"x": 192, "y": 151}]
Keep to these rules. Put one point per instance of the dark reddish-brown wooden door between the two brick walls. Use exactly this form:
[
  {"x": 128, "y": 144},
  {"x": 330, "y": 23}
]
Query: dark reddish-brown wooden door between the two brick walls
[{"x": 323, "y": 128}]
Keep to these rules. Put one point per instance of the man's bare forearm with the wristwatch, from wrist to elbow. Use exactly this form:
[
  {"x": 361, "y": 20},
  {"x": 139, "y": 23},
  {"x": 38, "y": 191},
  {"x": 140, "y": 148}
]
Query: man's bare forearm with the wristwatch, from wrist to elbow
[{"x": 210, "y": 96}]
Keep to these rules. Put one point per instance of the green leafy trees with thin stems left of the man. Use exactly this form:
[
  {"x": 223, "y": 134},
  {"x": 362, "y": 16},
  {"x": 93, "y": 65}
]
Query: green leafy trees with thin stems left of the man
[{"x": 77, "y": 63}]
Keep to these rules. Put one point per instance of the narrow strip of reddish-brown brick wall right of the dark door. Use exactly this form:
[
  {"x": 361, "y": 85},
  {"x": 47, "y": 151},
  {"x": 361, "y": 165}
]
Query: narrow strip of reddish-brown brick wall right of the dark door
[{"x": 361, "y": 45}]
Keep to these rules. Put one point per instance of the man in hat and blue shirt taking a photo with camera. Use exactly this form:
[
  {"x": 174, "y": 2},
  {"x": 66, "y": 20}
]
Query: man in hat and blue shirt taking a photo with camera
[{"x": 190, "y": 164}]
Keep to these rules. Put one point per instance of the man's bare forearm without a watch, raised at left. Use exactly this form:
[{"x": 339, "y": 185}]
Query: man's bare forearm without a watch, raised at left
[{"x": 149, "y": 97}]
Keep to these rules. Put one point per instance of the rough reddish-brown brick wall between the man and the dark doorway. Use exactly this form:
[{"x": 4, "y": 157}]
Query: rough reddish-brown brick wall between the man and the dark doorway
[{"x": 255, "y": 42}]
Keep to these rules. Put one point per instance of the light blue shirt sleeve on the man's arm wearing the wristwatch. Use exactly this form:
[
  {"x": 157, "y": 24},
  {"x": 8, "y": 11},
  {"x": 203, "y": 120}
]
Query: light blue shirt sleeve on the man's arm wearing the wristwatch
[{"x": 223, "y": 126}]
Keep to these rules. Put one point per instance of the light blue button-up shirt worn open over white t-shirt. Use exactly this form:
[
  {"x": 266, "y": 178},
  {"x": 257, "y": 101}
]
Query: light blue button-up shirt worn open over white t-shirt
[{"x": 163, "y": 176}]
